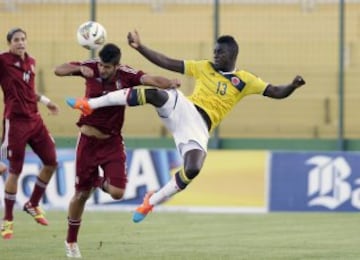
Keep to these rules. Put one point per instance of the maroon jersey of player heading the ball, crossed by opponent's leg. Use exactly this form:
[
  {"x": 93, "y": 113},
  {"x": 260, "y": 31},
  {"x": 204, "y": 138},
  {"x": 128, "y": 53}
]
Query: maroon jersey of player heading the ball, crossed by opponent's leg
[{"x": 108, "y": 120}]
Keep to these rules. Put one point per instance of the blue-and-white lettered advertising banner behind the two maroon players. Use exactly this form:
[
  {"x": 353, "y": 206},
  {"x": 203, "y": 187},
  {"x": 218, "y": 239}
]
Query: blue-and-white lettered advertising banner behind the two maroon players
[{"x": 147, "y": 170}]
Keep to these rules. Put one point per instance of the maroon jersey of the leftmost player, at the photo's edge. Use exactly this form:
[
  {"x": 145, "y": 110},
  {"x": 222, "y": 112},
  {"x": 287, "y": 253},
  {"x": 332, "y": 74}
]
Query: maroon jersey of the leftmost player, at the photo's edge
[{"x": 17, "y": 79}]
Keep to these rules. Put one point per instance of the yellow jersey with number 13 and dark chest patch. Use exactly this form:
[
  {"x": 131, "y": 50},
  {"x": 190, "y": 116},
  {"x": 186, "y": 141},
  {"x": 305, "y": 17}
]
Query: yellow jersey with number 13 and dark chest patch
[{"x": 216, "y": 92}]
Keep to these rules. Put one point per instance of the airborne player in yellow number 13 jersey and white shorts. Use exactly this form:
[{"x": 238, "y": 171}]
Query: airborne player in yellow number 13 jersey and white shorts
[{"x": 219, "y": 86}]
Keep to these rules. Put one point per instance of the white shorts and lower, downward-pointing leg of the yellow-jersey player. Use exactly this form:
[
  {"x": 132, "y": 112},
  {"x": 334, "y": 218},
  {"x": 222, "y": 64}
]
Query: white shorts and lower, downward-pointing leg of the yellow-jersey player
[{"x": 191, "y": 136}]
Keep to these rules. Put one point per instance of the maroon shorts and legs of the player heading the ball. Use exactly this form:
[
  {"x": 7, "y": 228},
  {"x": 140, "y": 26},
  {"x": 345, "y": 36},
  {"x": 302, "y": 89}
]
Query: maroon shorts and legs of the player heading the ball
[{"x": 113, "y": 181}]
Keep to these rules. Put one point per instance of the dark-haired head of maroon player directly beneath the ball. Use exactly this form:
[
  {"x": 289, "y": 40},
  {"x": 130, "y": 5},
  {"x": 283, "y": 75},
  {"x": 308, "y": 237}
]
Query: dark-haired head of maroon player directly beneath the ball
[{"x": 110, "y": 56}]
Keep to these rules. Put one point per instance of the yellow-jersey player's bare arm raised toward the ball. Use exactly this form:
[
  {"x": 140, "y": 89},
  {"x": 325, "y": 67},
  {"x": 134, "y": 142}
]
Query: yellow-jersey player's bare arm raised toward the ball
[{"x": 153, "y": 56}]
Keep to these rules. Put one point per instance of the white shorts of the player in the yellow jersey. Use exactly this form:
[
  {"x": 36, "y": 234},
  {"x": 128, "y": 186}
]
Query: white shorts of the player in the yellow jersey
[{"x": 182, "y": 119}]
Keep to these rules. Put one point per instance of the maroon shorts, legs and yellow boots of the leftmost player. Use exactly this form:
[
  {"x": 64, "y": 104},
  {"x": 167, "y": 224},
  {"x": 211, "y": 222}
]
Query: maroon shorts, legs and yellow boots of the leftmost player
[{"x": 44, "y": 147}]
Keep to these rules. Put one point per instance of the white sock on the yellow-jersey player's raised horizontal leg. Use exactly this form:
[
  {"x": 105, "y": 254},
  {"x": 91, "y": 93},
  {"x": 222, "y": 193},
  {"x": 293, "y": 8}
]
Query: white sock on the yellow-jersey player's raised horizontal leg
[{"x": 114, "y": 98}]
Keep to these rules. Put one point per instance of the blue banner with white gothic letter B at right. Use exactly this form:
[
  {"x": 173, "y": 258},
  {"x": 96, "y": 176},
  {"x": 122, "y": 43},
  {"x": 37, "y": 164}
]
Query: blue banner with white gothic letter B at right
[{"x": 314, "y": 182}]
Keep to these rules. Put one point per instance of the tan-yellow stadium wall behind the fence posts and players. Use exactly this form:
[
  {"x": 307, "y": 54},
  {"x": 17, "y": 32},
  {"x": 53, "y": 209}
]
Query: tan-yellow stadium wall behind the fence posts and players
[{"x": 276, "y": 42}]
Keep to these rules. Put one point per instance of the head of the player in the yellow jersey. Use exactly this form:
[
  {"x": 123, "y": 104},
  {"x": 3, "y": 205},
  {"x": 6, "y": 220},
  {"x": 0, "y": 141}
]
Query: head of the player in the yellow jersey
[{"x": 225, "y": 53}]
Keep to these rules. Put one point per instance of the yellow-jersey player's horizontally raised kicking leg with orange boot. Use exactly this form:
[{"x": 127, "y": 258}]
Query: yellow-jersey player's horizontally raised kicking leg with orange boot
[{"x": 129, "y": 96}]
